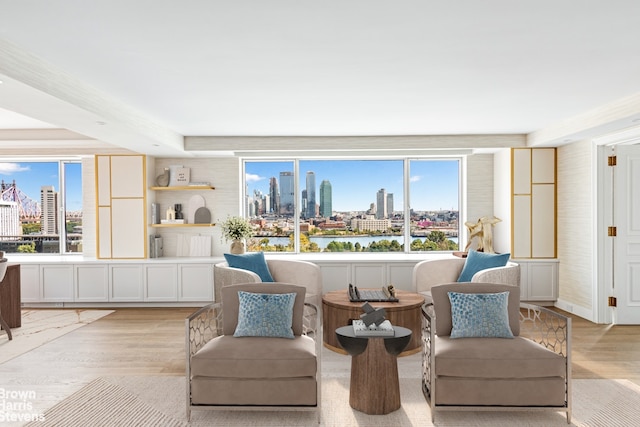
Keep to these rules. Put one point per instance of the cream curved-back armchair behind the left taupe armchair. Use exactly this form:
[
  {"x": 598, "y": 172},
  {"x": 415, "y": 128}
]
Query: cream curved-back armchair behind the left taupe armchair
[{"x": 301, "y": 273}]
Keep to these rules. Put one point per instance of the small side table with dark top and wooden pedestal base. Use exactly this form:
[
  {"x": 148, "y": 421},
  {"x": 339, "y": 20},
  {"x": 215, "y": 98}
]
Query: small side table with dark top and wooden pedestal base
[{"x": 375, "y": 388}]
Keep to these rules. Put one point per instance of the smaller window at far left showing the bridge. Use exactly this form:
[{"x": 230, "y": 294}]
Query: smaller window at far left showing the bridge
[{"x": 41, "y": 206}]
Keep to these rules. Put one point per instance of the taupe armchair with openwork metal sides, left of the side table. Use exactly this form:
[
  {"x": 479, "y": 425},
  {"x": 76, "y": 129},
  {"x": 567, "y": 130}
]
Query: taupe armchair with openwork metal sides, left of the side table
[{"x": 226, "y": 372}]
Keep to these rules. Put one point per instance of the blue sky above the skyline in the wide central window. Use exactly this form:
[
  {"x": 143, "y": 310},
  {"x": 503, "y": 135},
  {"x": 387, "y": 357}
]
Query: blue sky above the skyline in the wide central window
[{"x": 354, "y": 183}]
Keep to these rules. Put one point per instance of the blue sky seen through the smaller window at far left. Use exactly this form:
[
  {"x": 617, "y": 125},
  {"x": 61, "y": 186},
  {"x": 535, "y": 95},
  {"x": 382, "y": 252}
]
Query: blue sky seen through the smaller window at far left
[{"x": 30, "y": 176}]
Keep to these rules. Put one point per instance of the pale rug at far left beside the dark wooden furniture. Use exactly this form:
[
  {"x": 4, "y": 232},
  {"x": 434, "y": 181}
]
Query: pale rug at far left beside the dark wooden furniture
[{"x": 42, "y": 326}]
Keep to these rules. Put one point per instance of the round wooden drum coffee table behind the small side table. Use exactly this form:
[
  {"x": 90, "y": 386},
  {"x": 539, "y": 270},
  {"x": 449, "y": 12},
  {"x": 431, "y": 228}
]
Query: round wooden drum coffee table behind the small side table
[{"x": 338, "y": 311}]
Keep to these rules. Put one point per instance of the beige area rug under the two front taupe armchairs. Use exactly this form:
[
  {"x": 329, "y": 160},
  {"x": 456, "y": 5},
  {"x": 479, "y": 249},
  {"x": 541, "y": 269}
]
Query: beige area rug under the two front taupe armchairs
[{"x": 160, "y": 401}]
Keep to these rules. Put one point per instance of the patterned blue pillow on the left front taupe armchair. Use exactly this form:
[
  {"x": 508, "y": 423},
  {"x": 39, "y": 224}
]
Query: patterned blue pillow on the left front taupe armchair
[{"x": 265, "y": 315}]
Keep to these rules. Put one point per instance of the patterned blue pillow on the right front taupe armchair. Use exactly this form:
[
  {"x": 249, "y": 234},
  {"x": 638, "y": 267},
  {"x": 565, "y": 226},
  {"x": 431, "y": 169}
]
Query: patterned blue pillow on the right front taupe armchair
[{"x": 480, "y": 315}]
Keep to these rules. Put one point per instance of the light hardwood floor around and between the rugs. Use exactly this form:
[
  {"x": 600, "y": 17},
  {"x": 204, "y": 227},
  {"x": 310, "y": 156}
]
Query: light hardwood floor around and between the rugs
[{"x": 151, "y": 342}]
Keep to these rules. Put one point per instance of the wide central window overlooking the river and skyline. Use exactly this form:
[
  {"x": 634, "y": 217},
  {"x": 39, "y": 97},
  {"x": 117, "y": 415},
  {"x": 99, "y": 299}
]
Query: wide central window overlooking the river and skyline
[{"x": 395, "y": 205}]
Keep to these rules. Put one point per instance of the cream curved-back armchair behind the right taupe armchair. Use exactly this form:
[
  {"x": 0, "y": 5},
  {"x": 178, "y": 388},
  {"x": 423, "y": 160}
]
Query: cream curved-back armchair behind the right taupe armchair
[{"x": 429, "y": 273}]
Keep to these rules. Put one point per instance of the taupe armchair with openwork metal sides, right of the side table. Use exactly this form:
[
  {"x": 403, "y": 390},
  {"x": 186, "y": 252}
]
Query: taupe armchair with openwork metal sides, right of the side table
[{"x": 531, "y": 371}]
